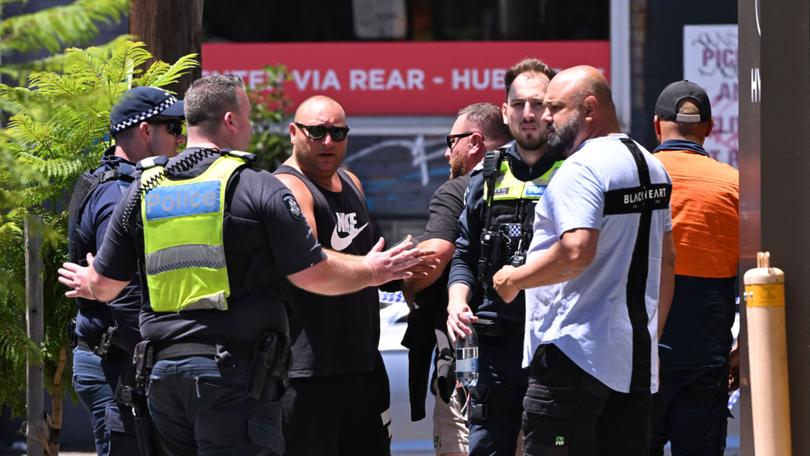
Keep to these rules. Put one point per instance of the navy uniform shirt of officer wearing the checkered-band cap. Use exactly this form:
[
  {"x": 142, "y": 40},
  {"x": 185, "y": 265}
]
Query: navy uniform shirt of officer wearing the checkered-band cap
[{"x": 94, "y": 317}]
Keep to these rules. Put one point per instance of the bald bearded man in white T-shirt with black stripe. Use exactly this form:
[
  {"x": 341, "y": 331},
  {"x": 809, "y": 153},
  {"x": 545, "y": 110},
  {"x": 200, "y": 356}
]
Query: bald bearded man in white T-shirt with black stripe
[{"x": 600, "y": 273}]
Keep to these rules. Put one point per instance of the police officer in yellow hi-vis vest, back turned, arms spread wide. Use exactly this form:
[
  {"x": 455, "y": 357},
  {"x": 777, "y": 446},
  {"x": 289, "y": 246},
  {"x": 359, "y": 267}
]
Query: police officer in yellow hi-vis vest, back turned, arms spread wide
[{"x": 216, "y": 242}]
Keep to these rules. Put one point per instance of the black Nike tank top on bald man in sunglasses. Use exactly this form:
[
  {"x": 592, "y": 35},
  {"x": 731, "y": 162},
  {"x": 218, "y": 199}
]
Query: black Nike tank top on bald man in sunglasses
[{"x": 336, "y": 334}]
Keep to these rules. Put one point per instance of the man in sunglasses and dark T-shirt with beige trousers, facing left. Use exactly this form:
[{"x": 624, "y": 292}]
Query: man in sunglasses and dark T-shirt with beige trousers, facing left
[{"x": 479, "y": 128}]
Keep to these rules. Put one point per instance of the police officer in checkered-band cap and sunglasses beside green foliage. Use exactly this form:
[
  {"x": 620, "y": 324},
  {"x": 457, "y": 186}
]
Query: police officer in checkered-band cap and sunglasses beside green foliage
[{"x": 146, "y": 122}]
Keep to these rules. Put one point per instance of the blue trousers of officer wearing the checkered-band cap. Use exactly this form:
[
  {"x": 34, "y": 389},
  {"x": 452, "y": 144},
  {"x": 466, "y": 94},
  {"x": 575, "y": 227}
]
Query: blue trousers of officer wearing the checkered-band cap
[{"x": 95, "y": 380}]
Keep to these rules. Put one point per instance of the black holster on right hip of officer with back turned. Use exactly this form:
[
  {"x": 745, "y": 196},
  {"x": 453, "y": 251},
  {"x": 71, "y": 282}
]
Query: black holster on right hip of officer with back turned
[{"x": 270, "y": 361}]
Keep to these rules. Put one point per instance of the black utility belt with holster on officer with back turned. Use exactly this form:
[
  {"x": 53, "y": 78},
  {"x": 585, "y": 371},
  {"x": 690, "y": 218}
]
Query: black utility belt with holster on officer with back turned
[{"x": 268, "y": 360}]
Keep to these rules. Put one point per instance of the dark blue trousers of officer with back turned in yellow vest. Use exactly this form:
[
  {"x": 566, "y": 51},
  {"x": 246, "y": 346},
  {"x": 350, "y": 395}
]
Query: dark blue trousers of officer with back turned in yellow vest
[{"x": 200, "y": 408}]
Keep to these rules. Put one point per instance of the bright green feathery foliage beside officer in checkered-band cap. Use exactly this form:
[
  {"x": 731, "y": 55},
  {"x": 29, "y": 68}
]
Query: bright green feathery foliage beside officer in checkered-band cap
[{"x": 57, "y": 128}]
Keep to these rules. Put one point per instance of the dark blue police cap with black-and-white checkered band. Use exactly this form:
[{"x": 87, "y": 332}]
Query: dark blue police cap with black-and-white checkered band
[{"x": 142, "y": 103}]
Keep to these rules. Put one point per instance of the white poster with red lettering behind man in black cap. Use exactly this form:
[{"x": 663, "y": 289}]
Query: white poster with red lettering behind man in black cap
[{"x": 710, "y": 59}]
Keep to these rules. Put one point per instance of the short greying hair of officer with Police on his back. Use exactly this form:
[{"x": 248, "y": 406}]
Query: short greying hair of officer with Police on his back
[{"x": 210, "y": 97}]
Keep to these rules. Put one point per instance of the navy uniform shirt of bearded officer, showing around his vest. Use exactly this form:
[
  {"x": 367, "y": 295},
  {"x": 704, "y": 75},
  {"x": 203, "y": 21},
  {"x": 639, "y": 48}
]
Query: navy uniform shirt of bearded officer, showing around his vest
[{"x": 464, "y": 266}]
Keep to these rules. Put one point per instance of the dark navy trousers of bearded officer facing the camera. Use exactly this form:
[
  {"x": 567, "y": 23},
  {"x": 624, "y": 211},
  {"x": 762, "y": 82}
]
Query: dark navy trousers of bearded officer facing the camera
[{"x": 501, "y": 386}]
